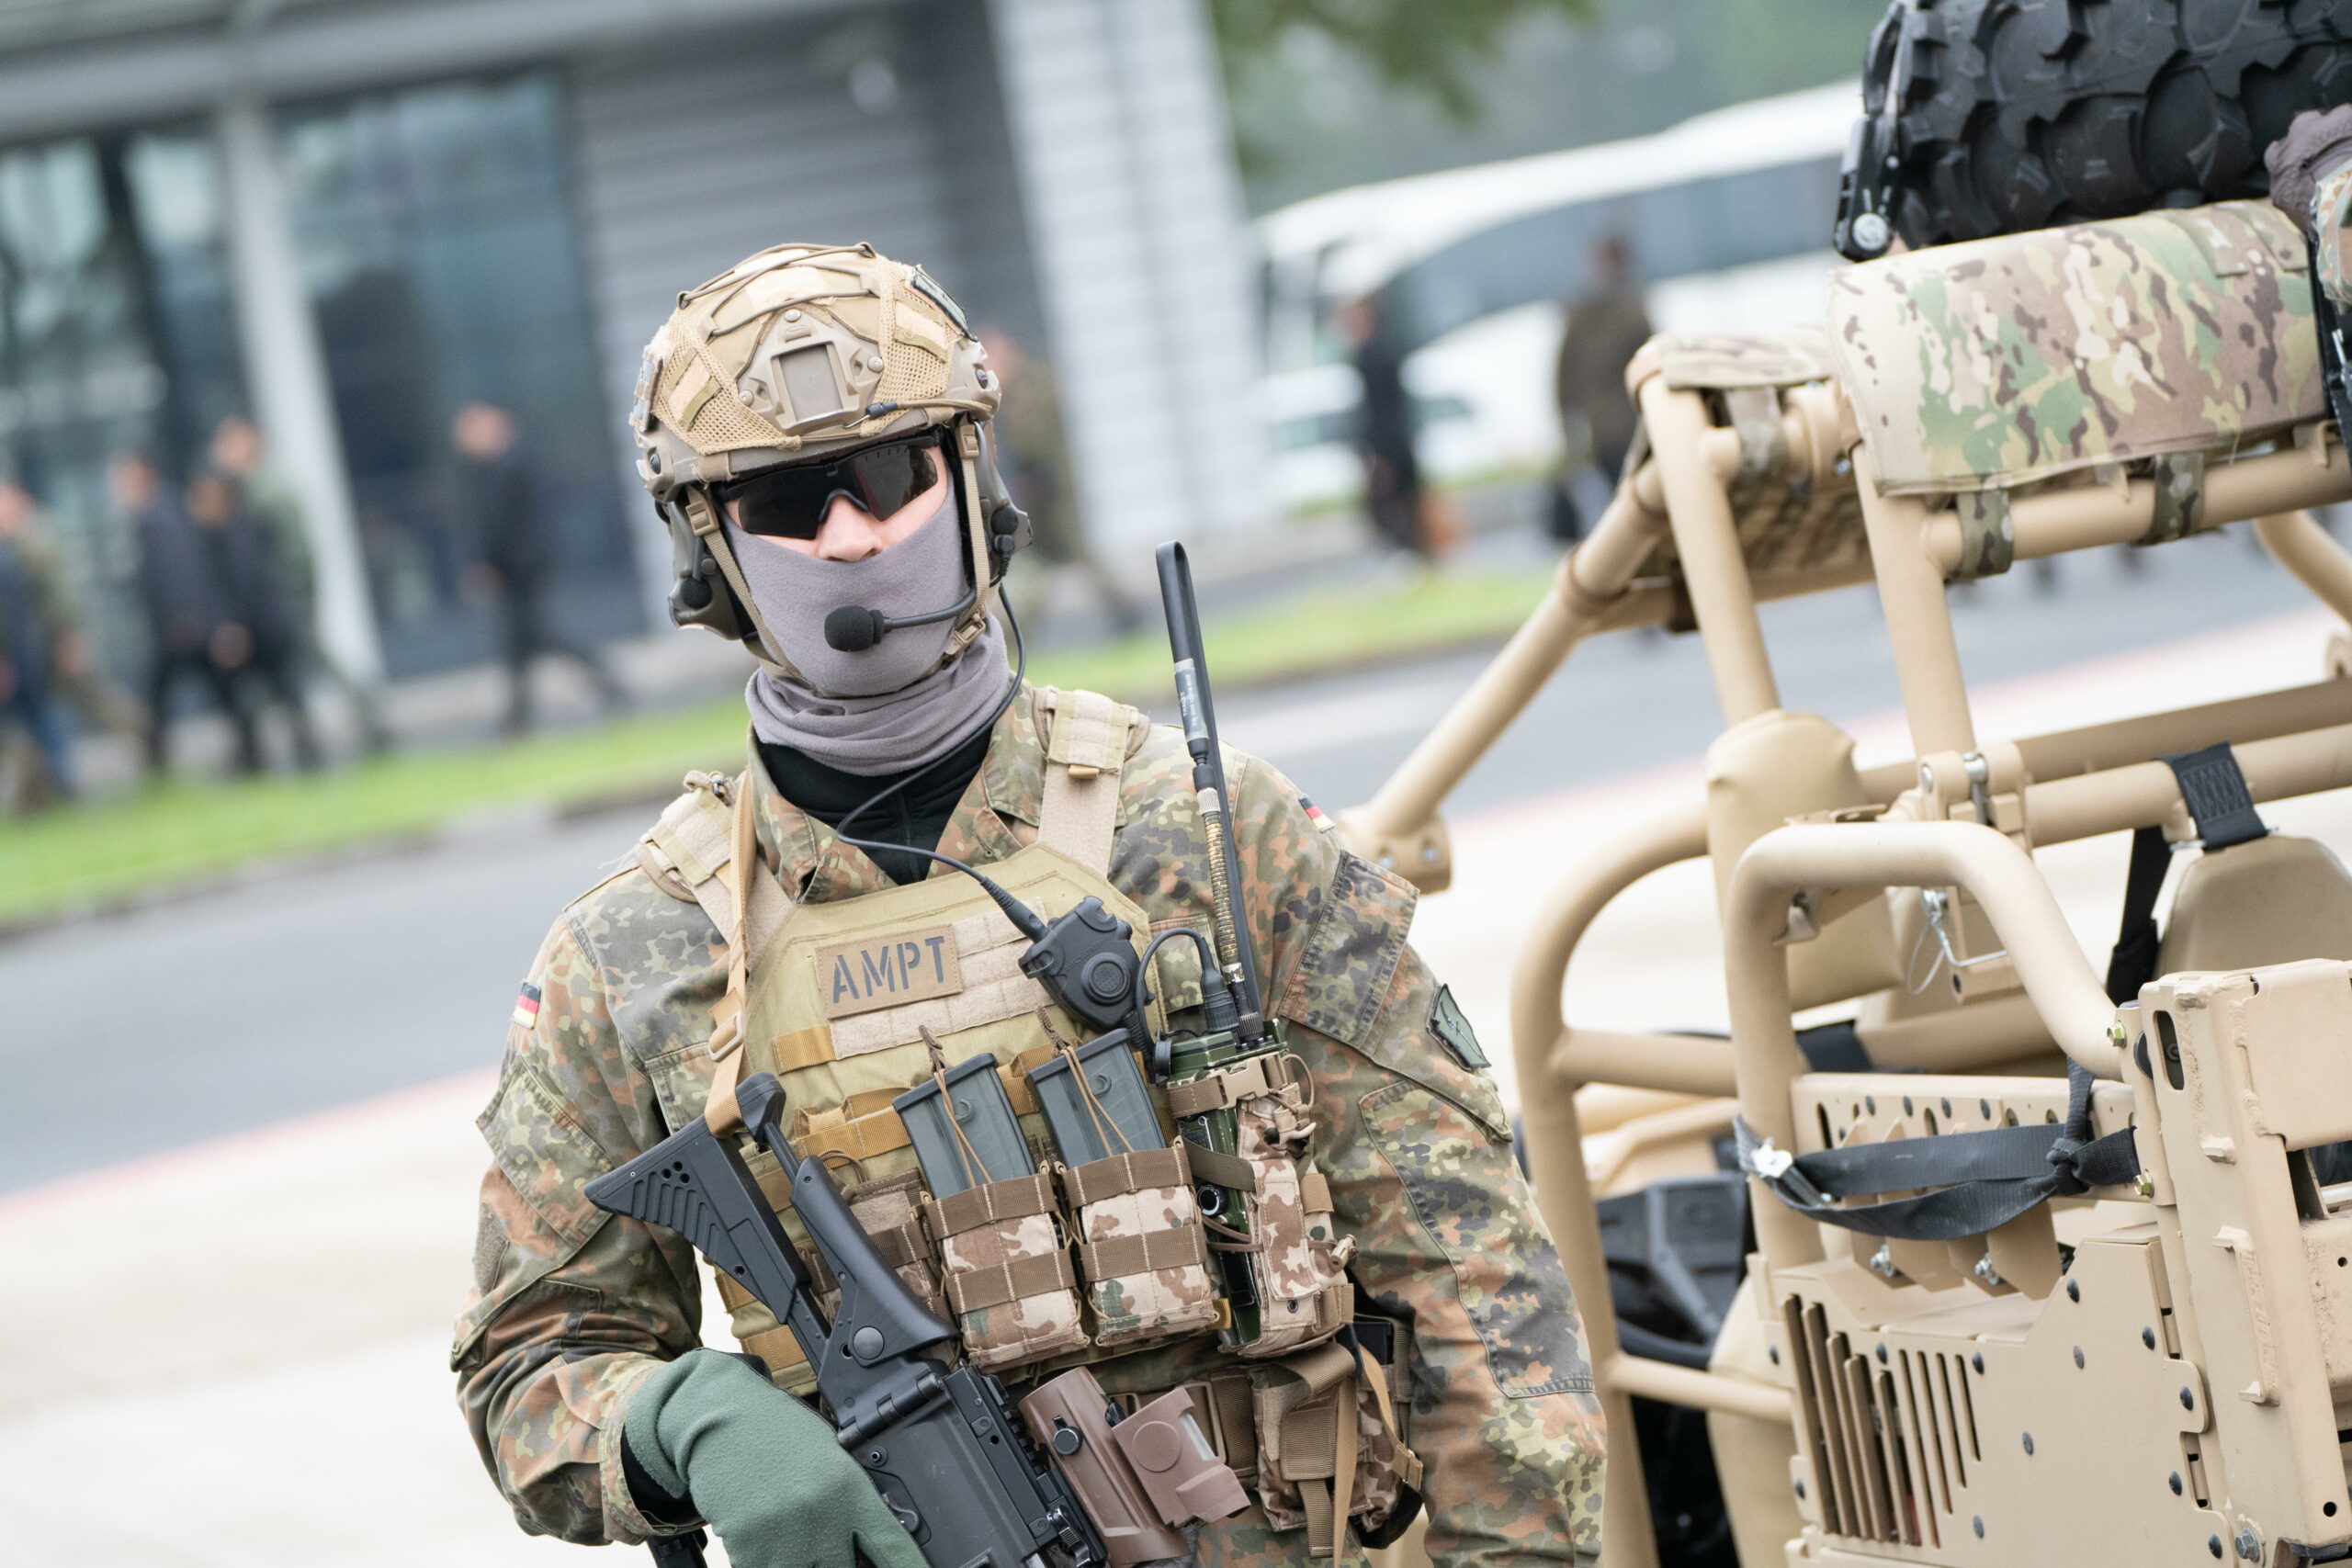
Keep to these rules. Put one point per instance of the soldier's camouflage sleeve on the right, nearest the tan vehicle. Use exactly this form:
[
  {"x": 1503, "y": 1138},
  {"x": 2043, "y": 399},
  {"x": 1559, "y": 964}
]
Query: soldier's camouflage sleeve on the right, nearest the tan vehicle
[{"x": 1417, "y": 1148}]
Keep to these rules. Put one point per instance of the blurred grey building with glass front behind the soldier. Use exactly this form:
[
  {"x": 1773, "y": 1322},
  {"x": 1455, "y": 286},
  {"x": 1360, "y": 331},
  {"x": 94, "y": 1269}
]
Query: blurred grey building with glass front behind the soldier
[{"x": 349, "y": 217}]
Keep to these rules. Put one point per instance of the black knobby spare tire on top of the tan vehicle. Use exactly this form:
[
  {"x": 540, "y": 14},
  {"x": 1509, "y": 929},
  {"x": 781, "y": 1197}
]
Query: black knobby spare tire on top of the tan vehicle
[{"x": 1998, "y": 116}]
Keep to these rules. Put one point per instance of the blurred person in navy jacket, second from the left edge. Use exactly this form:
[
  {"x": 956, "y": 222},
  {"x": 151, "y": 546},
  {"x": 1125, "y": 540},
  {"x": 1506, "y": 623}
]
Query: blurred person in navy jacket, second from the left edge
[{"x": 189, "y": 629}]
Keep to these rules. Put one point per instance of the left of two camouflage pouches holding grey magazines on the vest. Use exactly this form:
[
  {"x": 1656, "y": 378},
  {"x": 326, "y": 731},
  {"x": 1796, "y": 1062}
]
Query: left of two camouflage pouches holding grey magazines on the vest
[{"x": 1008, "y": 1273}]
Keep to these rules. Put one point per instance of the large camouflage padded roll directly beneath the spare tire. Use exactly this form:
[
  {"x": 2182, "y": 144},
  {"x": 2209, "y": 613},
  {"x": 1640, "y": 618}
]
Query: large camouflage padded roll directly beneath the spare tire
[{"x": 2031, "y": 356}]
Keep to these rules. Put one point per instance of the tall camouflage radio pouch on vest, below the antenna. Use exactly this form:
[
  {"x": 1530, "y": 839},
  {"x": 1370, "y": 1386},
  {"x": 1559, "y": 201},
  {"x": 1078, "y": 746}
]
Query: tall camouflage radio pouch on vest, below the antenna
[{"x": 1297, "y": 1257}]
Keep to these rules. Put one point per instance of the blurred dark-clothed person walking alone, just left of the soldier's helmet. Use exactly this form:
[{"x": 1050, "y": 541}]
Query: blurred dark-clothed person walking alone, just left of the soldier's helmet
[{"x": 502, "y": 516}]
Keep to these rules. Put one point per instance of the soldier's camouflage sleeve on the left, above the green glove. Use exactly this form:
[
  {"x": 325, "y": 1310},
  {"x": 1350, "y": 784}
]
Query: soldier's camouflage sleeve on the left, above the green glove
[{"x": 573, "y": 1308}]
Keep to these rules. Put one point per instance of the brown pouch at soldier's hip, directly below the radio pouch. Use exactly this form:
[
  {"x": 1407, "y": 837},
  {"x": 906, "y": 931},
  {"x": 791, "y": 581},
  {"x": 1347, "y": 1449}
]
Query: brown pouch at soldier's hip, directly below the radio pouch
[{"x": 1328, "y": 1449}]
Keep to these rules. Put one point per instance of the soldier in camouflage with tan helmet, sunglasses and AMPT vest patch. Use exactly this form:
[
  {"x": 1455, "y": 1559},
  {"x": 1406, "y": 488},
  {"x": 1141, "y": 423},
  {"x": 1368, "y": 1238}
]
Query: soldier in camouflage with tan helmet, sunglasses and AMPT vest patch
[{"x": 815, "y": 431}]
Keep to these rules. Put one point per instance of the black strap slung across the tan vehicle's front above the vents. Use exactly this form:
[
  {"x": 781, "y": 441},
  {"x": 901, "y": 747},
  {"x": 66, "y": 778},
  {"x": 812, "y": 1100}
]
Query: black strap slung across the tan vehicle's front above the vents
[{"x": 1984, "y": 1179}]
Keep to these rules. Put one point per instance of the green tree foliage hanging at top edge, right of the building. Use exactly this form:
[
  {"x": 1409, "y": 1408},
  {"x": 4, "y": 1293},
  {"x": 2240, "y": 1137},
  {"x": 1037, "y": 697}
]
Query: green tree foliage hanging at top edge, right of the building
[{"x": 1426, "y": 48}]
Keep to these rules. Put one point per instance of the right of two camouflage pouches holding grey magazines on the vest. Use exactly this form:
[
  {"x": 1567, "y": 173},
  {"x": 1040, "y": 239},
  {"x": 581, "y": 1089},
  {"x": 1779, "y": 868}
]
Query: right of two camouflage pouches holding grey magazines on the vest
[{"x": 1142, "y": 1247}]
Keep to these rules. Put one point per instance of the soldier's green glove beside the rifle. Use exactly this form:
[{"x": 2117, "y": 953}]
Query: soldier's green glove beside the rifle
[{"x": 761, "y": 1468}]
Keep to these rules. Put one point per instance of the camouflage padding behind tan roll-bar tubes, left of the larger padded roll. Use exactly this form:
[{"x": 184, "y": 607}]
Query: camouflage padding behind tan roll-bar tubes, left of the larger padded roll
[{"x": 1786, "y": 528}]
